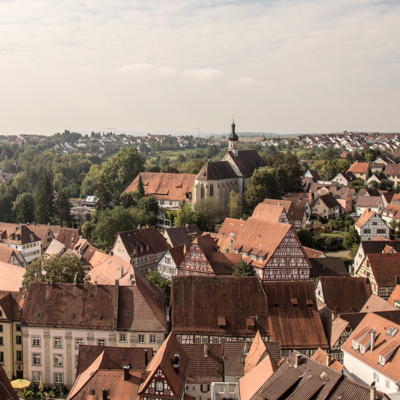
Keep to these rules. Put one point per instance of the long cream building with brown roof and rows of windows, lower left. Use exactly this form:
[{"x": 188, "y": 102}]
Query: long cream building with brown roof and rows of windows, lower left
[{"x": 59, "y": 317}]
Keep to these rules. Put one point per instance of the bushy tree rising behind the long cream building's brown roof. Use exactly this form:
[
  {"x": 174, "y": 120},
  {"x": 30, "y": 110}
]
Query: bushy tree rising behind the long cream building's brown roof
[{"x": 56, "y": 269}]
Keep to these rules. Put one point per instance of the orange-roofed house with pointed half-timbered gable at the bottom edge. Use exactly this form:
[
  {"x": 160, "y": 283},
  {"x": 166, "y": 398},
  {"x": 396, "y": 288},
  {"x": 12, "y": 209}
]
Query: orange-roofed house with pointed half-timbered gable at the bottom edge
[{"x": 165, "y": 375}]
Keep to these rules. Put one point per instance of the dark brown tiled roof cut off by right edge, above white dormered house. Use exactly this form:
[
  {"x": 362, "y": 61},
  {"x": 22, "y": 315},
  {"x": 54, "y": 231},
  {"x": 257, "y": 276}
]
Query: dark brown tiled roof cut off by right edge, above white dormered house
[{"x": 385, "y": 267}]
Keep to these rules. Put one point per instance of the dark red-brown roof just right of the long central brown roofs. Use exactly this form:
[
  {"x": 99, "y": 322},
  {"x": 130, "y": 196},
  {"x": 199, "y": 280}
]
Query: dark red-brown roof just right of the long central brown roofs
[{"x": 345, "y": 294}]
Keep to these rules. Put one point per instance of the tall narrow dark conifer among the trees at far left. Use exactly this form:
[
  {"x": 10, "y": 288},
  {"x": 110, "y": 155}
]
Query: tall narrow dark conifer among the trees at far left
[{"x": 44, "y": 200}]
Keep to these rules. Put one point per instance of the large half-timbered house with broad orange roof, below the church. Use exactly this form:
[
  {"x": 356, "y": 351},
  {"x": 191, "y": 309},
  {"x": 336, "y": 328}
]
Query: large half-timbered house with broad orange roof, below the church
[{"x": 274, "y": 251}]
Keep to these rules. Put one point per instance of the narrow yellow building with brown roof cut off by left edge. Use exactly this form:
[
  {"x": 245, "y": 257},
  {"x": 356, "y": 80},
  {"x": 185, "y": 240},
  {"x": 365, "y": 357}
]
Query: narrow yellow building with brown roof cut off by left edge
[{"x": 11, "y": 305}]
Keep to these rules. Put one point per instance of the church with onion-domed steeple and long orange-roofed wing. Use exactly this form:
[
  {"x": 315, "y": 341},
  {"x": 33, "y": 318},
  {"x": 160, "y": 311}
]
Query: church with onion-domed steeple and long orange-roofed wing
[{"x": 216, "y": 179}]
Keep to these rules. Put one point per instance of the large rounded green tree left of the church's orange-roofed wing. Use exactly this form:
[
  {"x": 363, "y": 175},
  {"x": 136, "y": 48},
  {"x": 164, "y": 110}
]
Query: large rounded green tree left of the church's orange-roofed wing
[{"x": 122, "y": 169}]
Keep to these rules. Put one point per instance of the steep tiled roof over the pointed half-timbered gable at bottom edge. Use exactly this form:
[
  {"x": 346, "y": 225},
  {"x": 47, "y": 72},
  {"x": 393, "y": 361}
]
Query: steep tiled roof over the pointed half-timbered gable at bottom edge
[{"x": 163, "y": 360}]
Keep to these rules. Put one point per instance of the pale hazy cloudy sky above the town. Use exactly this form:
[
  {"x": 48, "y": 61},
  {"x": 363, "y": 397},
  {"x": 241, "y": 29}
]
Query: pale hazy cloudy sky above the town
[{"x": 287, "y": 66}]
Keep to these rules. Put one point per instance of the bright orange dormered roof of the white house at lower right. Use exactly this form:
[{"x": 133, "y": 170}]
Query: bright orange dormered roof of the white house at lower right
[{"x": 371, "y": 358}]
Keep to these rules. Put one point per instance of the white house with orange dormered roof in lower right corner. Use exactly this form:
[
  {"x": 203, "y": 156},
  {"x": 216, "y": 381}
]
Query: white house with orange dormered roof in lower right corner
[{"x": 371, "y": 353}]
